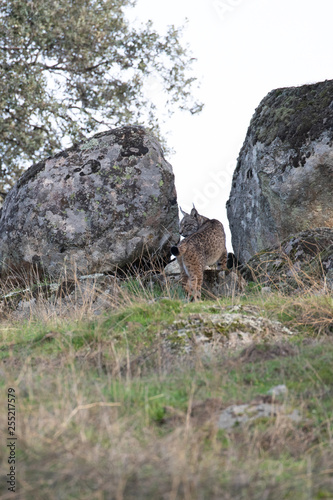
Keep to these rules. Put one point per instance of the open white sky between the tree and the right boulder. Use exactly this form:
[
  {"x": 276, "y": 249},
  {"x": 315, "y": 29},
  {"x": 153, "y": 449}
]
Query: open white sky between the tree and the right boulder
[{"x": 245, "y": 48}]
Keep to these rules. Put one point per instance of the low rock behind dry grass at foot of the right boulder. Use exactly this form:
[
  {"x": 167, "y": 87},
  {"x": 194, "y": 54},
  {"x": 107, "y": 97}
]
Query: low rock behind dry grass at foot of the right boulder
[{"x": 302, "y": 260}]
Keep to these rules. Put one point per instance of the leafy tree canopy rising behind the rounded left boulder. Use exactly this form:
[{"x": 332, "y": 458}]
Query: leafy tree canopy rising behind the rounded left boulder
[{"x": 68, "y": 67}]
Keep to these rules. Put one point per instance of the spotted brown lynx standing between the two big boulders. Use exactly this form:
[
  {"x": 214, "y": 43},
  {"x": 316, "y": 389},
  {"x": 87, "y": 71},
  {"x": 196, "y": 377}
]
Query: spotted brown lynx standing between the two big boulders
[{"x": 203, "y": 246}]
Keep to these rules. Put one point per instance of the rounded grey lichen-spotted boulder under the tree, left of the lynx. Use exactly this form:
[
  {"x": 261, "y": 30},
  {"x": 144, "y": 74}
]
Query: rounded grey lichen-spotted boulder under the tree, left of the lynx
[{"x": 97, "y": 206}]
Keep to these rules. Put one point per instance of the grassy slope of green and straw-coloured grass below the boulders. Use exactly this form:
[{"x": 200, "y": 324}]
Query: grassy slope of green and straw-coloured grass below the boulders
[{"x": 112, "y": 407}]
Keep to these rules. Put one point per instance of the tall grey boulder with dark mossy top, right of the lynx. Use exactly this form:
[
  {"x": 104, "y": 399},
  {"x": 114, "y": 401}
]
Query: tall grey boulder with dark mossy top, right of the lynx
[{"x": 283, "y": 182}]
